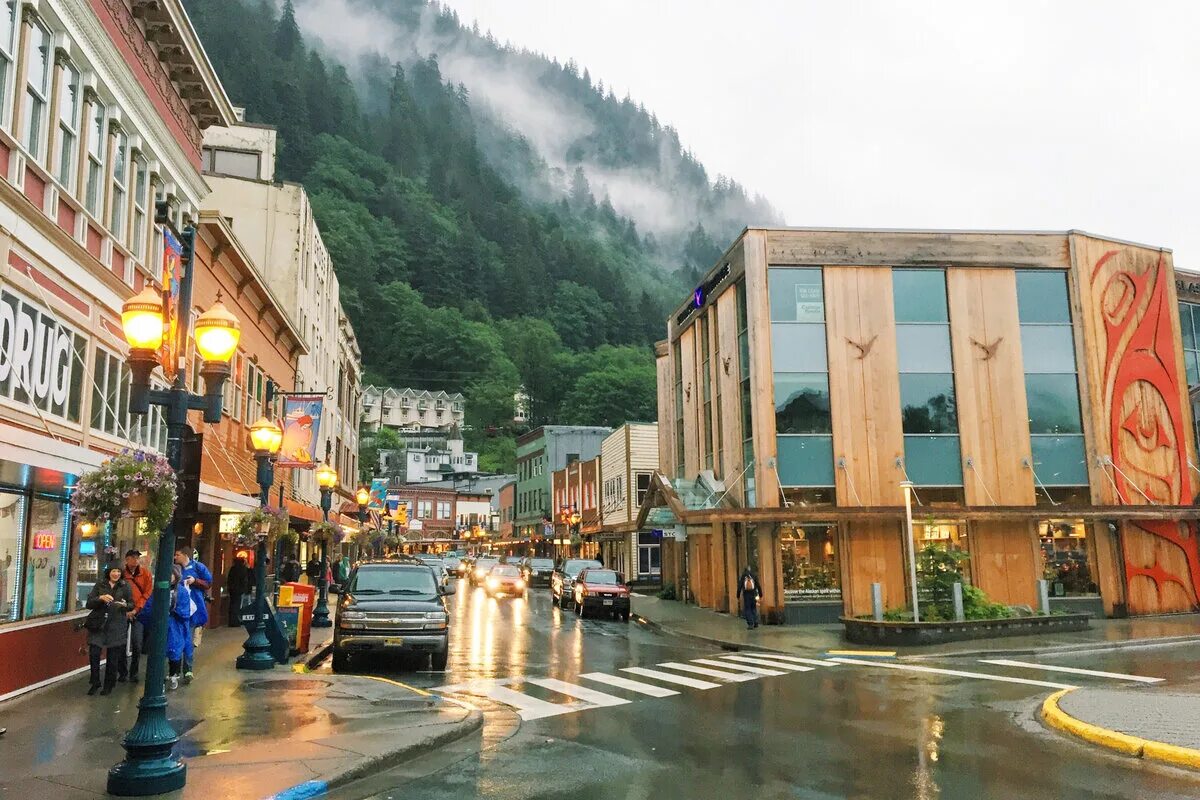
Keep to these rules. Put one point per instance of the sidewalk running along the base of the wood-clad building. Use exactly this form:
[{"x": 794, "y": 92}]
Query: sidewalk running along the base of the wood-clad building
[{"x": 729, "y": 631}]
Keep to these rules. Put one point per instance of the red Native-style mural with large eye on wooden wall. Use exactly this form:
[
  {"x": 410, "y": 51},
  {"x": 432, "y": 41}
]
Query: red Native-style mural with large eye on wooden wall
[{"x": 1147, "y": 424}]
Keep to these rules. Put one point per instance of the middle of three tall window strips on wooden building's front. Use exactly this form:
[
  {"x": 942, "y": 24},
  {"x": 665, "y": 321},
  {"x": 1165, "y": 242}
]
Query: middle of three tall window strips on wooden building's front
[{"x": 928, "y": 407}]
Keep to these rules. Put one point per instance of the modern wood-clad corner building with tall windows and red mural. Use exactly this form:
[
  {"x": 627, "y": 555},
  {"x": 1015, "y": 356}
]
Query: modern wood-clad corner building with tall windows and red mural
[{"x": 1031, "y": 386}]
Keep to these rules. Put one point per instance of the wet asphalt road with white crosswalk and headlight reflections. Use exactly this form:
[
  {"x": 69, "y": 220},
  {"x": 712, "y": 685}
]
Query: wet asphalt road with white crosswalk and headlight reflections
[{"x": 591, "y": 709}]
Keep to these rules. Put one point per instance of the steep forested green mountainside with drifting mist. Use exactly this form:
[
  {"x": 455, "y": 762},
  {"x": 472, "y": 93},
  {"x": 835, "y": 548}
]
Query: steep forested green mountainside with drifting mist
[{"x": 478, "y": 250}]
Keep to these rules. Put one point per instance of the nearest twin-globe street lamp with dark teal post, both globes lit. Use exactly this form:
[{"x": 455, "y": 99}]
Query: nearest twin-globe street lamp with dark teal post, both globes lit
[{"x": 151, "y": 766}]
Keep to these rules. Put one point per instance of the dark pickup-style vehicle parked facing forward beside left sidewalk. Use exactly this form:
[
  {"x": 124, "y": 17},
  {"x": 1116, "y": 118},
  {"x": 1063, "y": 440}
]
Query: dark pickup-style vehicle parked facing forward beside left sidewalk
[{"x": 397, "y": 607}]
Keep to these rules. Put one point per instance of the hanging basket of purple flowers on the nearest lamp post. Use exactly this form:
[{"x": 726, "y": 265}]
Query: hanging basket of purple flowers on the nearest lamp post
[{"x": 133, "y": 484}]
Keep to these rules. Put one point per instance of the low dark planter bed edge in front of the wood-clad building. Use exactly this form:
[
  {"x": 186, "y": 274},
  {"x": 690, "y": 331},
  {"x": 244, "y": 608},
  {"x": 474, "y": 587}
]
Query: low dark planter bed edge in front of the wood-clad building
[{"x": 868, "y": 631}]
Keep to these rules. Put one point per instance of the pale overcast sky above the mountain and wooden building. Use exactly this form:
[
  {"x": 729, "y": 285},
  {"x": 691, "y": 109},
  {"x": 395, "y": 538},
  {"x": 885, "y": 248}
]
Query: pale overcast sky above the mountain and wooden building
[{"x": 1010, "y": 116}]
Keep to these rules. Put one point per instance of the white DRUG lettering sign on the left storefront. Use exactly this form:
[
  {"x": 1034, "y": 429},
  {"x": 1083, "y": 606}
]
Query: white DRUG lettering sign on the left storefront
[{"x": 41, "y": 360}]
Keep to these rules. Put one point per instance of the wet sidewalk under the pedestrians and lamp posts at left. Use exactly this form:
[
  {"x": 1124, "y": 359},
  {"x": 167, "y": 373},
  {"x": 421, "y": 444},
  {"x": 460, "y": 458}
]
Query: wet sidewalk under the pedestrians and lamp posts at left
[{"x": 244, "y": 736}]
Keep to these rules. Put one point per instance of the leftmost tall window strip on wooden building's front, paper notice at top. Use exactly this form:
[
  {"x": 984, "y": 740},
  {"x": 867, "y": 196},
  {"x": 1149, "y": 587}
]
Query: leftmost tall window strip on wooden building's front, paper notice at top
[{"x": 803, "y": 424}]
